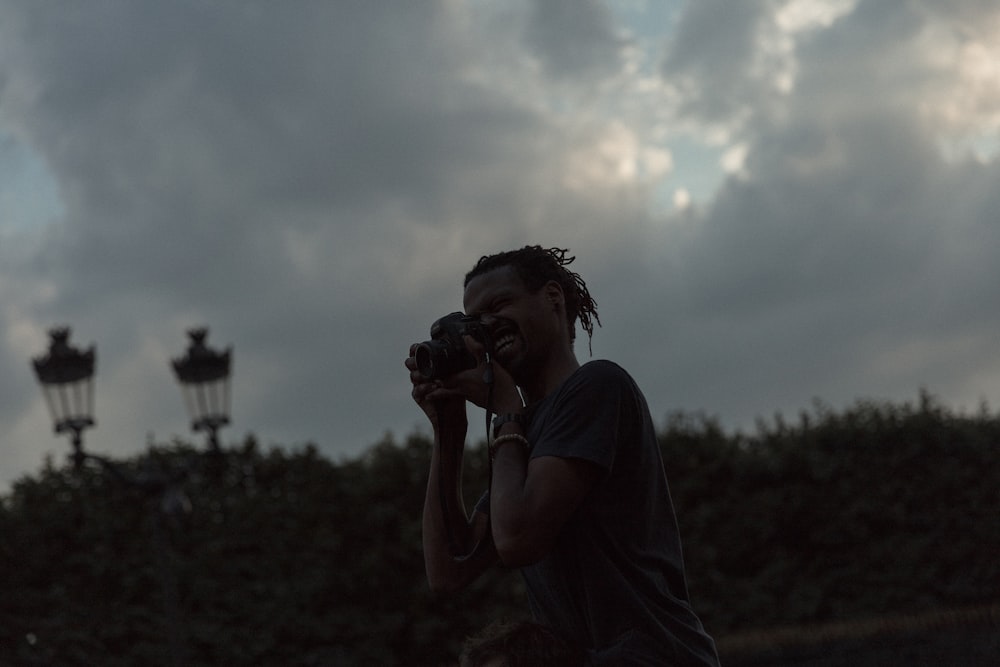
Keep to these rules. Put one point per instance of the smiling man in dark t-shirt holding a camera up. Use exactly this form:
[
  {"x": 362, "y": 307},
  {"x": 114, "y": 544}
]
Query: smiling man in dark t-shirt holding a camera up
[{"x": 578, "y": 498}]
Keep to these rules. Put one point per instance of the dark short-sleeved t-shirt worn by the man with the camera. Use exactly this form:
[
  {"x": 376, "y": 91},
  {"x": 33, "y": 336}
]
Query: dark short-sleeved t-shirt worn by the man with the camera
[{"x": 614, "y": 582}]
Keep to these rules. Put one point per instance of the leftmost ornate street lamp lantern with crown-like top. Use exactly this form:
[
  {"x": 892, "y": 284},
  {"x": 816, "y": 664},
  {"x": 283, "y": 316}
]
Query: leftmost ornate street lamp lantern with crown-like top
[{"x": 67, "y": 378}]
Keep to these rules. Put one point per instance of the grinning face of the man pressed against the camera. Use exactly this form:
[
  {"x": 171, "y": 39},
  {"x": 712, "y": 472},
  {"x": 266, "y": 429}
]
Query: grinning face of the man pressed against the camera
[{"x": 524, "y": 325}]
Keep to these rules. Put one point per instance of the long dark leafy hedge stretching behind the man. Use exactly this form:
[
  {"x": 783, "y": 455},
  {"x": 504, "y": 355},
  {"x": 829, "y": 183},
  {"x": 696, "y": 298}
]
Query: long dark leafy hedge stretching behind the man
[{"x": 289, "y": 558}]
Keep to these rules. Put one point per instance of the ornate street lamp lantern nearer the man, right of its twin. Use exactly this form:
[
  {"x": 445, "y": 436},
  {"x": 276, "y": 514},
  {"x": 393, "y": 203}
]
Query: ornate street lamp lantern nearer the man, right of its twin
[{"x": 204, "y": 376}]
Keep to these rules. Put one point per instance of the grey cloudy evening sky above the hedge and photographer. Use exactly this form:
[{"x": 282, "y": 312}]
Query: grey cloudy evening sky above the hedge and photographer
[{"x": 773, "y": 201}]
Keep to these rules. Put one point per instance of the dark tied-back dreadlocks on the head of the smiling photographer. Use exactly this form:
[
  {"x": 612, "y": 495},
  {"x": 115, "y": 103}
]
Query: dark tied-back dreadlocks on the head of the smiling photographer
[{"x": 536, "y": 266}]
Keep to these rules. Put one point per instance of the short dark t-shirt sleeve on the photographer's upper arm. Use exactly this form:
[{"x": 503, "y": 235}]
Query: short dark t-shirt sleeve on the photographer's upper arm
[{"x": 584, "y": 420}]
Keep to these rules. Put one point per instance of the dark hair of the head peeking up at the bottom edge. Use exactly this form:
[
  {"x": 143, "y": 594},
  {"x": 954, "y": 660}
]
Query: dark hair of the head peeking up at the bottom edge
[{"x": 520, "y": 644}]
